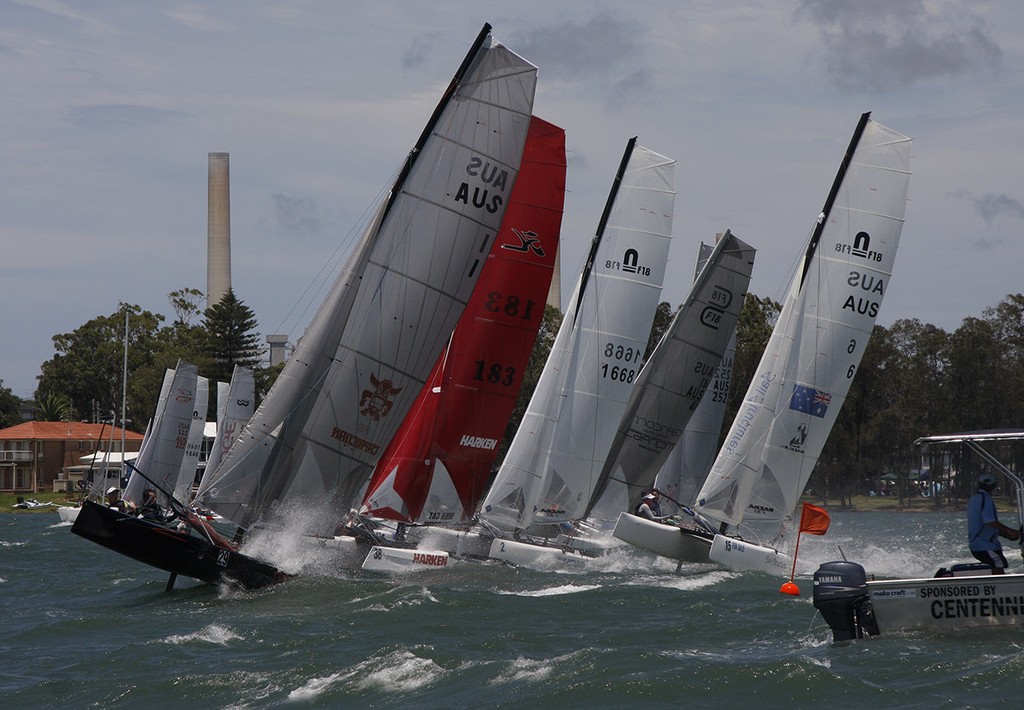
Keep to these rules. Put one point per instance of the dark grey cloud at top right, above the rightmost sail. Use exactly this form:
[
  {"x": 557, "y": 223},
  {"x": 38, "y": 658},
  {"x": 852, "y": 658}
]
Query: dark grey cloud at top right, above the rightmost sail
[{"x": 885, "y": 45}]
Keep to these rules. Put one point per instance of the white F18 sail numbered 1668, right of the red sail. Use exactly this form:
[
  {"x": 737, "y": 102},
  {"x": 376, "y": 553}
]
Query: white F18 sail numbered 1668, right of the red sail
[{"x": 557, "y": 455}]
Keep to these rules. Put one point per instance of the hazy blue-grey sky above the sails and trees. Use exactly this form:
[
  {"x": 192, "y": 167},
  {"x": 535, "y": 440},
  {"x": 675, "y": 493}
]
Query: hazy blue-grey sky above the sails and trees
[{"x": 110, "y": 109}]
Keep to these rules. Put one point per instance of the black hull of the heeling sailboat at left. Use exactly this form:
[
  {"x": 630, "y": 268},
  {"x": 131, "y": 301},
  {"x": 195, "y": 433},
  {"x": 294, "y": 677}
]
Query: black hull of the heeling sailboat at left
[{"x": 173, "y": 551}]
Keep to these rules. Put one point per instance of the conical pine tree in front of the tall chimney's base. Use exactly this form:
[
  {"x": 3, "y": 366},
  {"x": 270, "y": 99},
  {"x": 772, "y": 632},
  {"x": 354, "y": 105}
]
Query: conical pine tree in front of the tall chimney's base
[{"x": 231, "y": 339}]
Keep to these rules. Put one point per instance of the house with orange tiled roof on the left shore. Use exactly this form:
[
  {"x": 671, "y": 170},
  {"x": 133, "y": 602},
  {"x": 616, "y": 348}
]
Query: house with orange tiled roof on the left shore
[{"x": 34, "y": 455}]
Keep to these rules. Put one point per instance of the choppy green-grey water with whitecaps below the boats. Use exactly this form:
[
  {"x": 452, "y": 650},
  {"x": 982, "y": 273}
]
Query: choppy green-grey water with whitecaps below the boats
[{"x": 84, "y": 628}]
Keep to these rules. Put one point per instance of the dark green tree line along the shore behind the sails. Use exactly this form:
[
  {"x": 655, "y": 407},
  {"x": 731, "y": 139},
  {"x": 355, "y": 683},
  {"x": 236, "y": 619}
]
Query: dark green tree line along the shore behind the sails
[{"x": 916, "y": 380}]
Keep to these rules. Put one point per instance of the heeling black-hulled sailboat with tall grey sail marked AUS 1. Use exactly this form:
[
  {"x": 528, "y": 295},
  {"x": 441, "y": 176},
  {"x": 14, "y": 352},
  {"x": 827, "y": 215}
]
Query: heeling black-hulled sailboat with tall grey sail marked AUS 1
[{"x": 354, "y": 377}]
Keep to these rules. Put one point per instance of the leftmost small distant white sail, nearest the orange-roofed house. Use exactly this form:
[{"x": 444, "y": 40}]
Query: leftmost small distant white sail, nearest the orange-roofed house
[{"x": 159, "y": 462}]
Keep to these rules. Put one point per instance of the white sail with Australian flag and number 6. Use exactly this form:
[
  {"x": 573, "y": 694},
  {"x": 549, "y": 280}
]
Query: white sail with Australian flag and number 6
[{"x": 816, "y": 349}]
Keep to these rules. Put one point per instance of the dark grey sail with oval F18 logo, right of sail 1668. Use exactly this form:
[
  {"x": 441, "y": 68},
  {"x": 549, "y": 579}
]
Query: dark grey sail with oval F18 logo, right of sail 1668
[{"x": 675, "y": 378}]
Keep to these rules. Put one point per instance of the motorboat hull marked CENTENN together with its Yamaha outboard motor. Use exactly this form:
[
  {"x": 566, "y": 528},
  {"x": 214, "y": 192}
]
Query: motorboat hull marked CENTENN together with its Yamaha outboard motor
[{"x": 856, "y": 608}]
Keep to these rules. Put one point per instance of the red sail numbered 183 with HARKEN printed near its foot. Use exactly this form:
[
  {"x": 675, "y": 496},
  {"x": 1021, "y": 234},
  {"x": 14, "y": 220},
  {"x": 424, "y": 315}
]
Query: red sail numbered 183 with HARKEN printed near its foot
[{"x": 450, "y": 439}]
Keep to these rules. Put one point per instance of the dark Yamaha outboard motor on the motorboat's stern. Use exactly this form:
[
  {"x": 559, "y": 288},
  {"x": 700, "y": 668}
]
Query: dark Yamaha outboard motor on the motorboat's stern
[{"x": 841, "y": 596}]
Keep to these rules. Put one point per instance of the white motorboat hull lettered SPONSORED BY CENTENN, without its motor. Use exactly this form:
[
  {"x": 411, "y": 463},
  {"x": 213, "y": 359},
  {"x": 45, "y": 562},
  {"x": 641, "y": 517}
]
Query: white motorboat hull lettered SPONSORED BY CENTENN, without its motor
[{"x": 948, "y": 603}]
